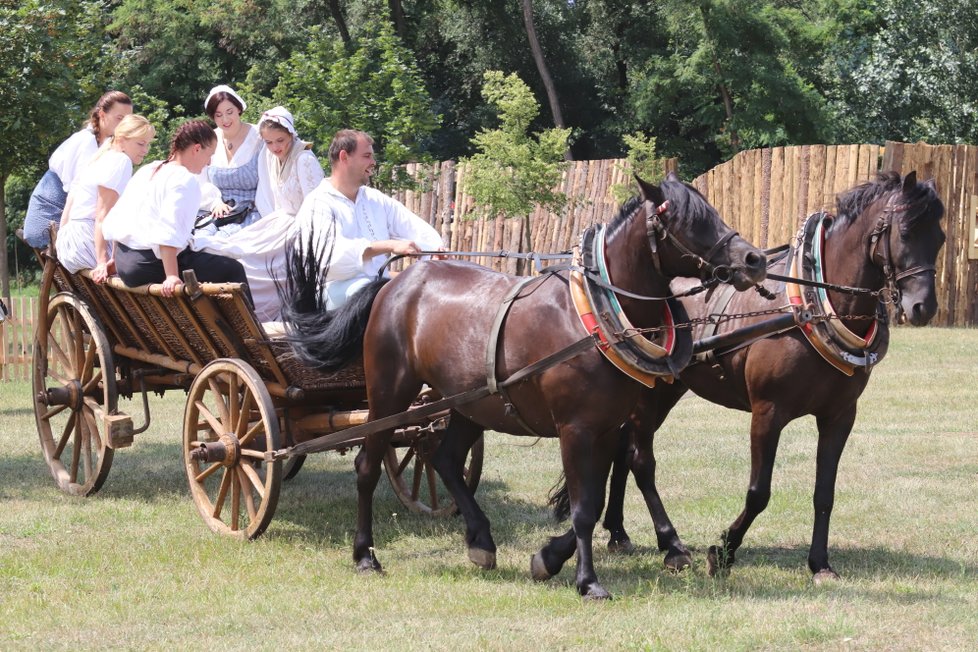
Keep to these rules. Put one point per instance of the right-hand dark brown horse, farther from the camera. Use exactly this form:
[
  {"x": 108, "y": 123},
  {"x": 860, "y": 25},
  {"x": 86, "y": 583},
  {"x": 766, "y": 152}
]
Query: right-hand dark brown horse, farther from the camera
[{"x": 886, "y": 236}]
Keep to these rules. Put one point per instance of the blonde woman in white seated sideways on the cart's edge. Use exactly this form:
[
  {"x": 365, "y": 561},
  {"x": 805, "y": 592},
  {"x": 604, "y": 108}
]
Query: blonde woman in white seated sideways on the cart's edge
[{"x": 94, "y": 193}]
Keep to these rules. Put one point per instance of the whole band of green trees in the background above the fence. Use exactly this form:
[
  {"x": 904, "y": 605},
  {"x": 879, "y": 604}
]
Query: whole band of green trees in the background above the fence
[{"x": 701, "y": 78}]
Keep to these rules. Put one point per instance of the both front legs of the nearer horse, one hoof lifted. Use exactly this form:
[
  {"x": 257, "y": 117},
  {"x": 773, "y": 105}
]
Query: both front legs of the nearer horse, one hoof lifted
[{"x": 586, "y": 464}]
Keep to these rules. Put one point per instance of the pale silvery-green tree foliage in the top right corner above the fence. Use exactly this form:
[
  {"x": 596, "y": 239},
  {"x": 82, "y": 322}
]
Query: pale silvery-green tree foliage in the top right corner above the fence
[{"x": 904, "y": 70}]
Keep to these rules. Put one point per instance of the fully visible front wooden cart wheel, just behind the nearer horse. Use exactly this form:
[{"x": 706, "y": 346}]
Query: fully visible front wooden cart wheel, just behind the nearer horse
[{"x": 228, "y": 425}]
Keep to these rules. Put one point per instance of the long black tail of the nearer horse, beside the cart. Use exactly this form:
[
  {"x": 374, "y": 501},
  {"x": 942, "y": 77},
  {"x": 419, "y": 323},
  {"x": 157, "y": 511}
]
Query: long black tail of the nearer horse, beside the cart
[{"x": 321, "y": 338}]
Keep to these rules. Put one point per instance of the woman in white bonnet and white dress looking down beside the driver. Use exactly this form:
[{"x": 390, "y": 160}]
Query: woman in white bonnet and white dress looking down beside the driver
[{"x": 288, "y": 170}]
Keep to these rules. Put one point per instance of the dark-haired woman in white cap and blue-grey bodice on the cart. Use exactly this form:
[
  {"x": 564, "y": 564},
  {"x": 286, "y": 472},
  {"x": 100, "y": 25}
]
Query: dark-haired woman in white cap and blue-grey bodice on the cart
[{"x": 231, "y": 177}]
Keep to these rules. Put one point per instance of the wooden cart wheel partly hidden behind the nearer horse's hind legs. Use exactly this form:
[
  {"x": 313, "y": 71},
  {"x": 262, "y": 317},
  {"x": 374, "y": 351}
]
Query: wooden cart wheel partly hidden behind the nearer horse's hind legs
[{"x": 416, "y": 482}]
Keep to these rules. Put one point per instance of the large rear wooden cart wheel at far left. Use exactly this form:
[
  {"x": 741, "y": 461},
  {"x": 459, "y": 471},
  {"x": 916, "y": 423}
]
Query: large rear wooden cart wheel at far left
[{"x": 74, "y": 391}]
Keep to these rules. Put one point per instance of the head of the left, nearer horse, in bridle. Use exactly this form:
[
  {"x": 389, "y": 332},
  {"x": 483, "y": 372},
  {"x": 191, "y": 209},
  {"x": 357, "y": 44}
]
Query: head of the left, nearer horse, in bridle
[{"x": 688, "y": 238}]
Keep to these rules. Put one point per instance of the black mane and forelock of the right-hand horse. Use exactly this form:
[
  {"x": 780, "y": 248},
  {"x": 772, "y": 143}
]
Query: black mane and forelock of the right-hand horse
[{"x": 852, "y": 203}]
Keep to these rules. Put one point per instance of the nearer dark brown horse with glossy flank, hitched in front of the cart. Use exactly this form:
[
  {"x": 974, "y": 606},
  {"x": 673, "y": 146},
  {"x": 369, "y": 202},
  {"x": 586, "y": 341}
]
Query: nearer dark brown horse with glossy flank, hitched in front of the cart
[{"x": 432, "y": 325}]
